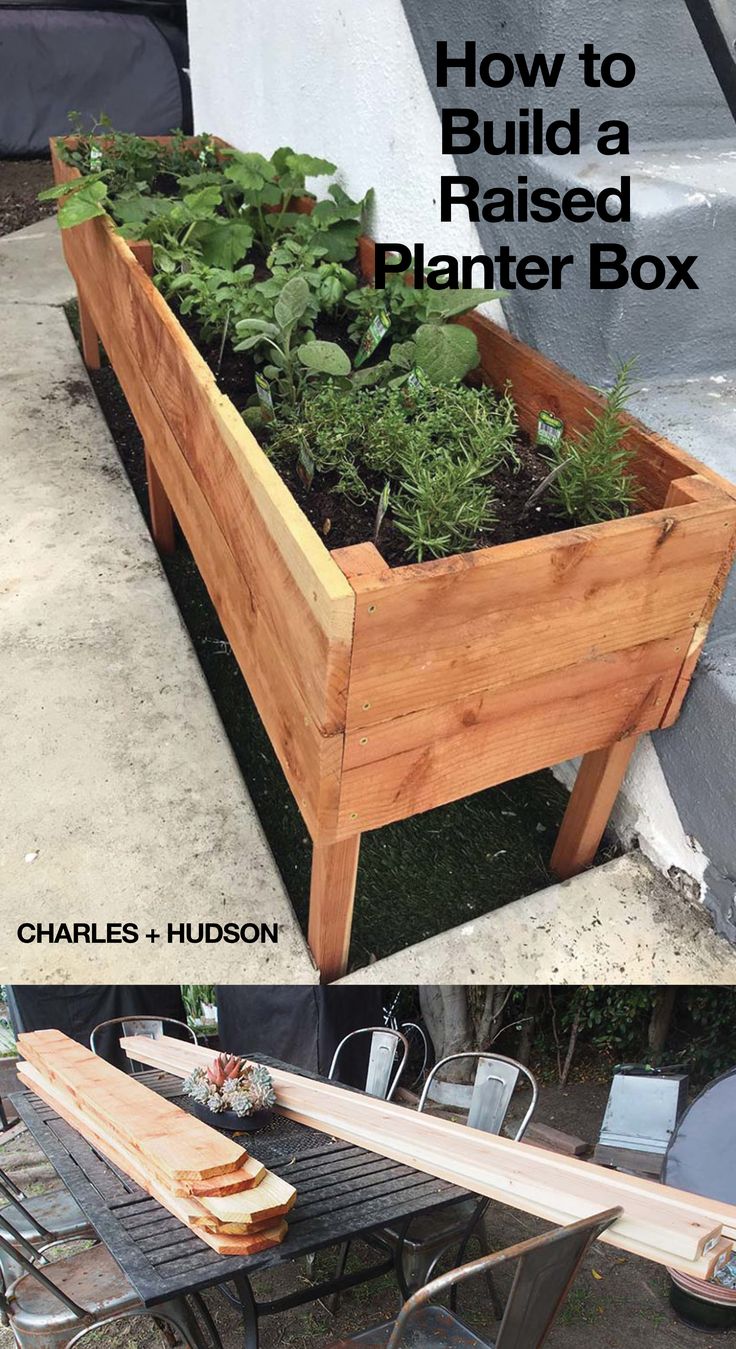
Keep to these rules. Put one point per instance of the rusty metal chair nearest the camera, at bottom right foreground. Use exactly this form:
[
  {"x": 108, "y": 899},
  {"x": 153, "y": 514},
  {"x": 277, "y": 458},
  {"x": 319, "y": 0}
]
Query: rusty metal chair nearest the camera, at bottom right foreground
[{"x": 545, "y": 1274}]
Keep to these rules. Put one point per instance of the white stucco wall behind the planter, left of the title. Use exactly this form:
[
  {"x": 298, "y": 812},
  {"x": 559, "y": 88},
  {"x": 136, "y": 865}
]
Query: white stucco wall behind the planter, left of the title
[{"x": 338, "y": 79}]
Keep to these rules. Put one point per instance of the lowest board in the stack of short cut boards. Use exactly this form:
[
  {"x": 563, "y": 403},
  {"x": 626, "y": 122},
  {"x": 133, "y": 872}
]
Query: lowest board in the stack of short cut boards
[{"x": 187, "y": 1212}]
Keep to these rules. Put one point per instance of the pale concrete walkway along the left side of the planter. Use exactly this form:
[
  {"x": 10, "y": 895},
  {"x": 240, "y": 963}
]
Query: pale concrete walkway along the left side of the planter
[{"x": 121, "y": 798}]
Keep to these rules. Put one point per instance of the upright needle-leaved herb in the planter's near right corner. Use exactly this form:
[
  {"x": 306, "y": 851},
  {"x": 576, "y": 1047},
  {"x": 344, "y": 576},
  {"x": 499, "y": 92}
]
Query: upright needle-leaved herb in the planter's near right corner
[{"x": 594, "y": 482}]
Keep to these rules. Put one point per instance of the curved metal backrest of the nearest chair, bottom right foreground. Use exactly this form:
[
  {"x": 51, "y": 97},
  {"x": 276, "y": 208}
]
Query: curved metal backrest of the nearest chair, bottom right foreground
[{"x": 545, "y": 1274}]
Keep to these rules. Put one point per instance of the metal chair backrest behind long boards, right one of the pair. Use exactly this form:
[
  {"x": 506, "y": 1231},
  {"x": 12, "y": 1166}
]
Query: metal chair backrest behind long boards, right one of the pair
[{"x": 489, "y": 1099}]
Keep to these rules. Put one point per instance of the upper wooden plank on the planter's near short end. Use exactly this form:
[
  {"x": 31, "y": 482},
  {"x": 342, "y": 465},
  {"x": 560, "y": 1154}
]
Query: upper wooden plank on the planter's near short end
[{"x": 437, "y": 632}]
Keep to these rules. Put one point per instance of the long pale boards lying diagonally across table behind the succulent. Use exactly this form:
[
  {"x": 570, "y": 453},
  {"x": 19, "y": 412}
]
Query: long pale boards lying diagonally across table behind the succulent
[{"x": 673, "y": 1228}]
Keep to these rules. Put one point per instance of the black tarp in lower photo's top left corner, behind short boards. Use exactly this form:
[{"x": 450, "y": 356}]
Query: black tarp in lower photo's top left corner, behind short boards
[{"x": 78, "y": 1008}]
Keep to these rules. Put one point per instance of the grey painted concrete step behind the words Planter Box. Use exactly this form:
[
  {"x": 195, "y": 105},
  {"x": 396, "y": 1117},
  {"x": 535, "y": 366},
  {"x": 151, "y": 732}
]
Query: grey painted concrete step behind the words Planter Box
[{"x": 683, "y": 203}]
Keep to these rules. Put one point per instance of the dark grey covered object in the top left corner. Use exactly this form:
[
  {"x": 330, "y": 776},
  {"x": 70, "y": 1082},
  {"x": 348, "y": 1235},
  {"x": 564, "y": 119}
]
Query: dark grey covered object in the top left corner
[{"x": 125, "y": 61}]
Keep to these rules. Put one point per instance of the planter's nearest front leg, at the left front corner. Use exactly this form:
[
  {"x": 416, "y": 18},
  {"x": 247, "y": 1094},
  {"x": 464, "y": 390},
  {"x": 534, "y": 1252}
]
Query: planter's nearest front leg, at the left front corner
[{"x": 331, "y": 905}]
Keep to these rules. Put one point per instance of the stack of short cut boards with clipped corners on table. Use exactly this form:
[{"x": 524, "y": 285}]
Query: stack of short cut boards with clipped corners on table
[{"x": 203, "y": 1177}]
